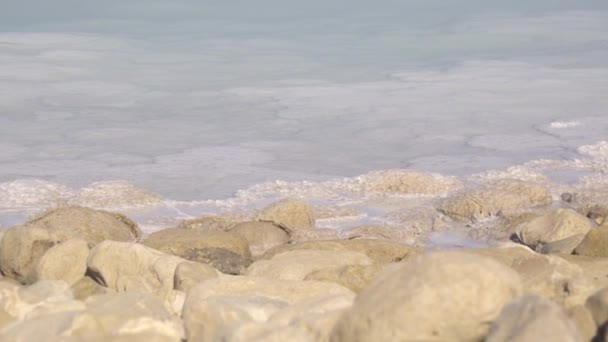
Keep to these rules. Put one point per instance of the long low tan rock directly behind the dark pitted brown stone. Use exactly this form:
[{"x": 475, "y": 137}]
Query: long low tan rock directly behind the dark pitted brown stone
[{"x": 178, "y": 241}]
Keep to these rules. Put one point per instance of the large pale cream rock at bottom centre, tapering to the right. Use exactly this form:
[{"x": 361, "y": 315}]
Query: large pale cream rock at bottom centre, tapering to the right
[{"x": 215, "y": 303}]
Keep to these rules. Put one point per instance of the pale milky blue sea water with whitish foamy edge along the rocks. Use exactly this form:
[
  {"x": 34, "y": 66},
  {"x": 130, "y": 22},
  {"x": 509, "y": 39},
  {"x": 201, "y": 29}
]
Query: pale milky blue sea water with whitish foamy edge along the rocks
[{"x": 168, "y": 110}]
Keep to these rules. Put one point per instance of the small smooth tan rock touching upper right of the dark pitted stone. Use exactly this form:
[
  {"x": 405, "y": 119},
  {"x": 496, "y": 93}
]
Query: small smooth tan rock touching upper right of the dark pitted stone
[{"x": 261, "y": 236}]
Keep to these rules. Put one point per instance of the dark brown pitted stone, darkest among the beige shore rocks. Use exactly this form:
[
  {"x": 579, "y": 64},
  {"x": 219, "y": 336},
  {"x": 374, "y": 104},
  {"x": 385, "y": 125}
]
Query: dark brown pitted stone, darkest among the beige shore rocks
[{"x": 222, "y": 259}]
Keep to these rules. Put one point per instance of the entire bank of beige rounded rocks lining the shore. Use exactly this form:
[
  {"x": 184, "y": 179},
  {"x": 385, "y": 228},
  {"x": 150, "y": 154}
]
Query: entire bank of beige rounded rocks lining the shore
[{"x": 79, "y": 274}]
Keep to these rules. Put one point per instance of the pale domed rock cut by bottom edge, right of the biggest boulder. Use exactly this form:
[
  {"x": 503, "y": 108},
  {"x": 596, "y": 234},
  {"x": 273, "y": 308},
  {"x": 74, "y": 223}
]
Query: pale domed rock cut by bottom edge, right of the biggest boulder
[{"x": 533, "y": 318}]
